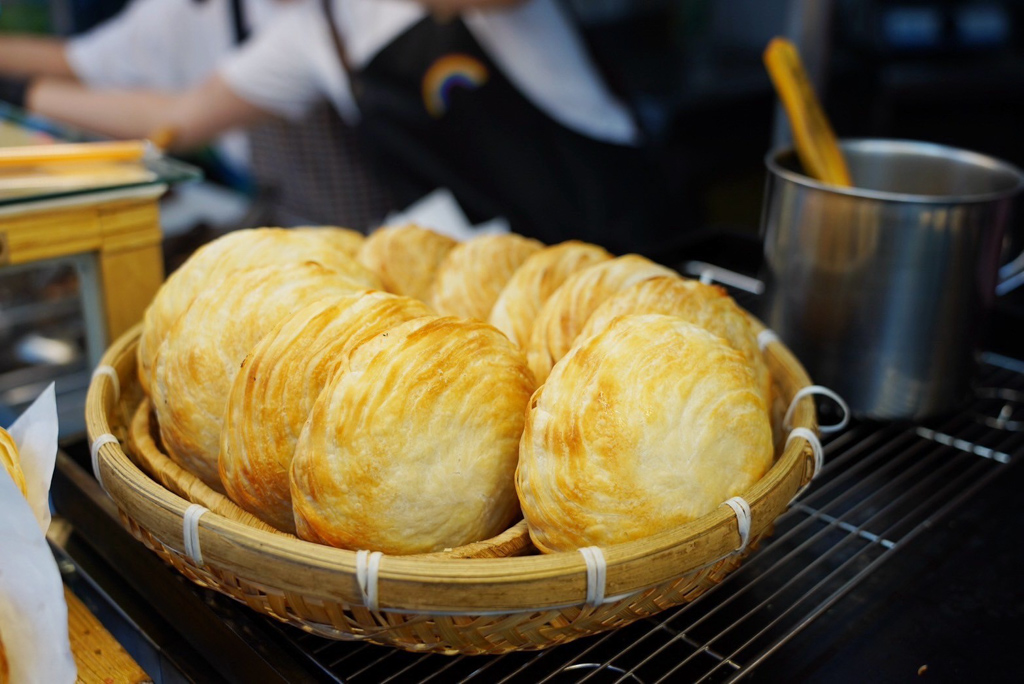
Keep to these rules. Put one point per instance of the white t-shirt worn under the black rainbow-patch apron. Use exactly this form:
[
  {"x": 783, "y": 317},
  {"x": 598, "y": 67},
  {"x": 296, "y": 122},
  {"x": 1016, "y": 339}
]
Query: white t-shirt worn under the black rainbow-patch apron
[{"x": 293, "y": 64}]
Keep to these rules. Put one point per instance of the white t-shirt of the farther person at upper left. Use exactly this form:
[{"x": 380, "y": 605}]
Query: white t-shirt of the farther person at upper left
[{"x": 167, "y": 46}]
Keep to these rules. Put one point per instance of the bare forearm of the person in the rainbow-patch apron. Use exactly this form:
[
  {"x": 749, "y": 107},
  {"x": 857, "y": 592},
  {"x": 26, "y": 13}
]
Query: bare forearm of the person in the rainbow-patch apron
[{"x": 195, "y": 116}]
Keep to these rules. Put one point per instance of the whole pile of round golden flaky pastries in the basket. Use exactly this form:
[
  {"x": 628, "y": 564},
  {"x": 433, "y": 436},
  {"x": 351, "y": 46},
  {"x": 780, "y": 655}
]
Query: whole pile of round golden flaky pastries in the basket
[{"x": 407, "y": 394}]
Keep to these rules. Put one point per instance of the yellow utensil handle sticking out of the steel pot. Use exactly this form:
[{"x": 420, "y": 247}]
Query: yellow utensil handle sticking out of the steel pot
[{"x": 816, "y": 142}]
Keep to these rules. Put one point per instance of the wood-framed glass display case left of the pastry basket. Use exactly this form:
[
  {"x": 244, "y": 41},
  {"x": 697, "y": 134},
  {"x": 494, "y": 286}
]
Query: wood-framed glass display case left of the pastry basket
[{"x": 80, "y": 260}]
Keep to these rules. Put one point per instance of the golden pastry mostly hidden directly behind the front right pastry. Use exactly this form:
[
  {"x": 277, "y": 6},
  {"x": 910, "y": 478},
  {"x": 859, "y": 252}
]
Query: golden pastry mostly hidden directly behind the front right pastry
[{"x": 706, "y": 306}]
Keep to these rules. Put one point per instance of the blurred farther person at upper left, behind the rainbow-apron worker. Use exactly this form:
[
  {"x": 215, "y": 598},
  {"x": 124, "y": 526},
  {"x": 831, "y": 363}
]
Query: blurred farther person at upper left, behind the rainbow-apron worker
[{"x": 170, "y": 47}]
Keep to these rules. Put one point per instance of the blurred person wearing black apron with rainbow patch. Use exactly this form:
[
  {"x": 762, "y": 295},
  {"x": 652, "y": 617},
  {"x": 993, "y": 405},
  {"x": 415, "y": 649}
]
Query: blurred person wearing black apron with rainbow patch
[{"x": 499, "y": 101}]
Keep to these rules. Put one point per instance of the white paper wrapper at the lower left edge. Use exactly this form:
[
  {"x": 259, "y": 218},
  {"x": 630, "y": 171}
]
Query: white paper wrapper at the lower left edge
[{"x": 33, "y": 612}]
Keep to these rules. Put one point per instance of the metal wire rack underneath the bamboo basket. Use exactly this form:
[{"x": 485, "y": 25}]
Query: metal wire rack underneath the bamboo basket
[{"x": 884, "y": 485}]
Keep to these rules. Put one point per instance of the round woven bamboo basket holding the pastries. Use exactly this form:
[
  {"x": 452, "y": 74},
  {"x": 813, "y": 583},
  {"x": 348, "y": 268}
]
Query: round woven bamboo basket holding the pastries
[{"x": 442, "y": 604}]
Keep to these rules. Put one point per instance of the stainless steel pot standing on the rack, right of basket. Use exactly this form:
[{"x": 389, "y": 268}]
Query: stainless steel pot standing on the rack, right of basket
[{"x": 882, "y": 290}]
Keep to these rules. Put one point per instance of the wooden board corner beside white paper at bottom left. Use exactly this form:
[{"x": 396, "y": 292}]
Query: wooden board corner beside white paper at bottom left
[{"x": 99, "y": 657}]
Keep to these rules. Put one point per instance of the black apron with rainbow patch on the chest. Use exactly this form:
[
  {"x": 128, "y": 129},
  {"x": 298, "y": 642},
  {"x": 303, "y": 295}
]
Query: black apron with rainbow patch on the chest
[{"x": 497, "y": 152}]
